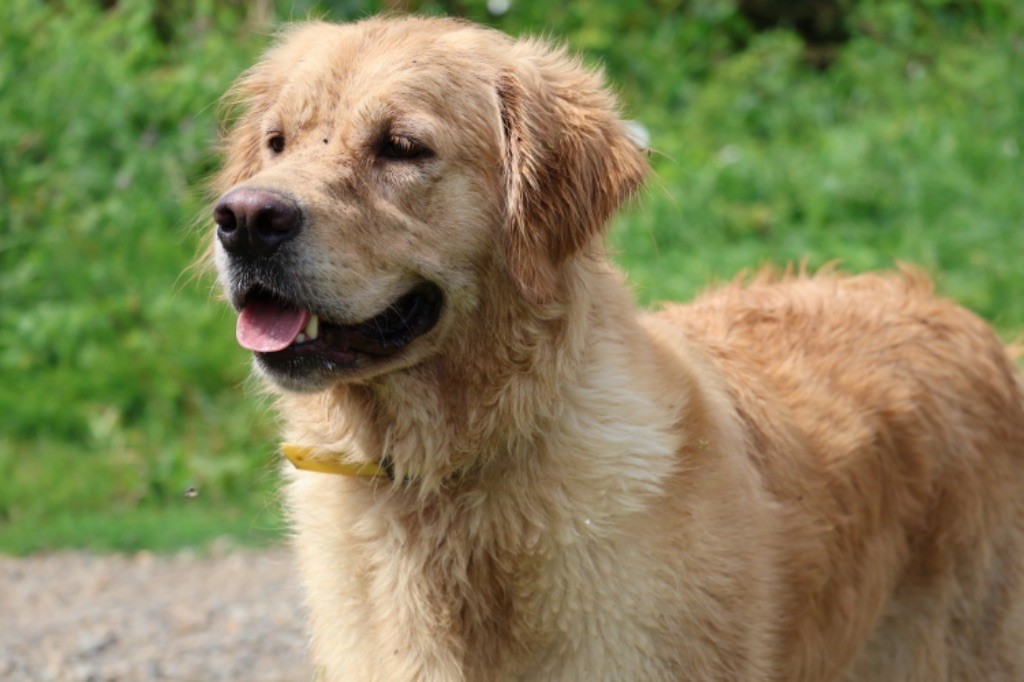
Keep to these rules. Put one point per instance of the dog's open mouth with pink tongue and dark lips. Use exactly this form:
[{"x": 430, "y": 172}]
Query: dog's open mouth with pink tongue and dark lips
[{"x": 283, "y": 332}]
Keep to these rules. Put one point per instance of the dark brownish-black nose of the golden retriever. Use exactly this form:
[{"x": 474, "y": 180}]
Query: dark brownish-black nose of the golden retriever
[{"x": 255, "y": 223}]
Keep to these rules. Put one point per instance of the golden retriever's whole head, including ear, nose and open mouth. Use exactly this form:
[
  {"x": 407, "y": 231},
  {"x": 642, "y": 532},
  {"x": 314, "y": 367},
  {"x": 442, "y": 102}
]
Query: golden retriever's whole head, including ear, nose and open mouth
[{"x": 382, "y": 177}]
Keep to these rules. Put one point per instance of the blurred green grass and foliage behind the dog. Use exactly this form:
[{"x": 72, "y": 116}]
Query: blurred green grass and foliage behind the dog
[{"x": 868, "y": 132}]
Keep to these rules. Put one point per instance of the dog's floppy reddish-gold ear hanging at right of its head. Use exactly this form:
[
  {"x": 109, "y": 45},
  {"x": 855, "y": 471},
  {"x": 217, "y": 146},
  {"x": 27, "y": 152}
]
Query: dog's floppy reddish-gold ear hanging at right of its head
[{"x": 569, "y": 164}]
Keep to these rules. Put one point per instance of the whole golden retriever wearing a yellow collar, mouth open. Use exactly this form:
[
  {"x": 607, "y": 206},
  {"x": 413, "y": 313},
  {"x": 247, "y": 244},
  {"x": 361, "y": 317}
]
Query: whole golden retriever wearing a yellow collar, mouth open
[{"x": 506, "y": 472}]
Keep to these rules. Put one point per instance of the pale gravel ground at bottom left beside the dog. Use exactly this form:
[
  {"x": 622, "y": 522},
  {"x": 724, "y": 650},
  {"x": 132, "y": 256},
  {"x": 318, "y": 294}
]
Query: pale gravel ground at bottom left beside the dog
[{"x": 78, "y": 618}]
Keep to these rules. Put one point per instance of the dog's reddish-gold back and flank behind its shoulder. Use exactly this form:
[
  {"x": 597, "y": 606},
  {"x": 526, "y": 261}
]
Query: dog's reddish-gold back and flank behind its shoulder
[{"x": 890, "y": 425}]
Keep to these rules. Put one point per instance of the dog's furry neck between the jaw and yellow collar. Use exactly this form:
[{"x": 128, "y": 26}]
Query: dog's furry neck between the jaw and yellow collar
[{"x": 488, "y": 403}]
